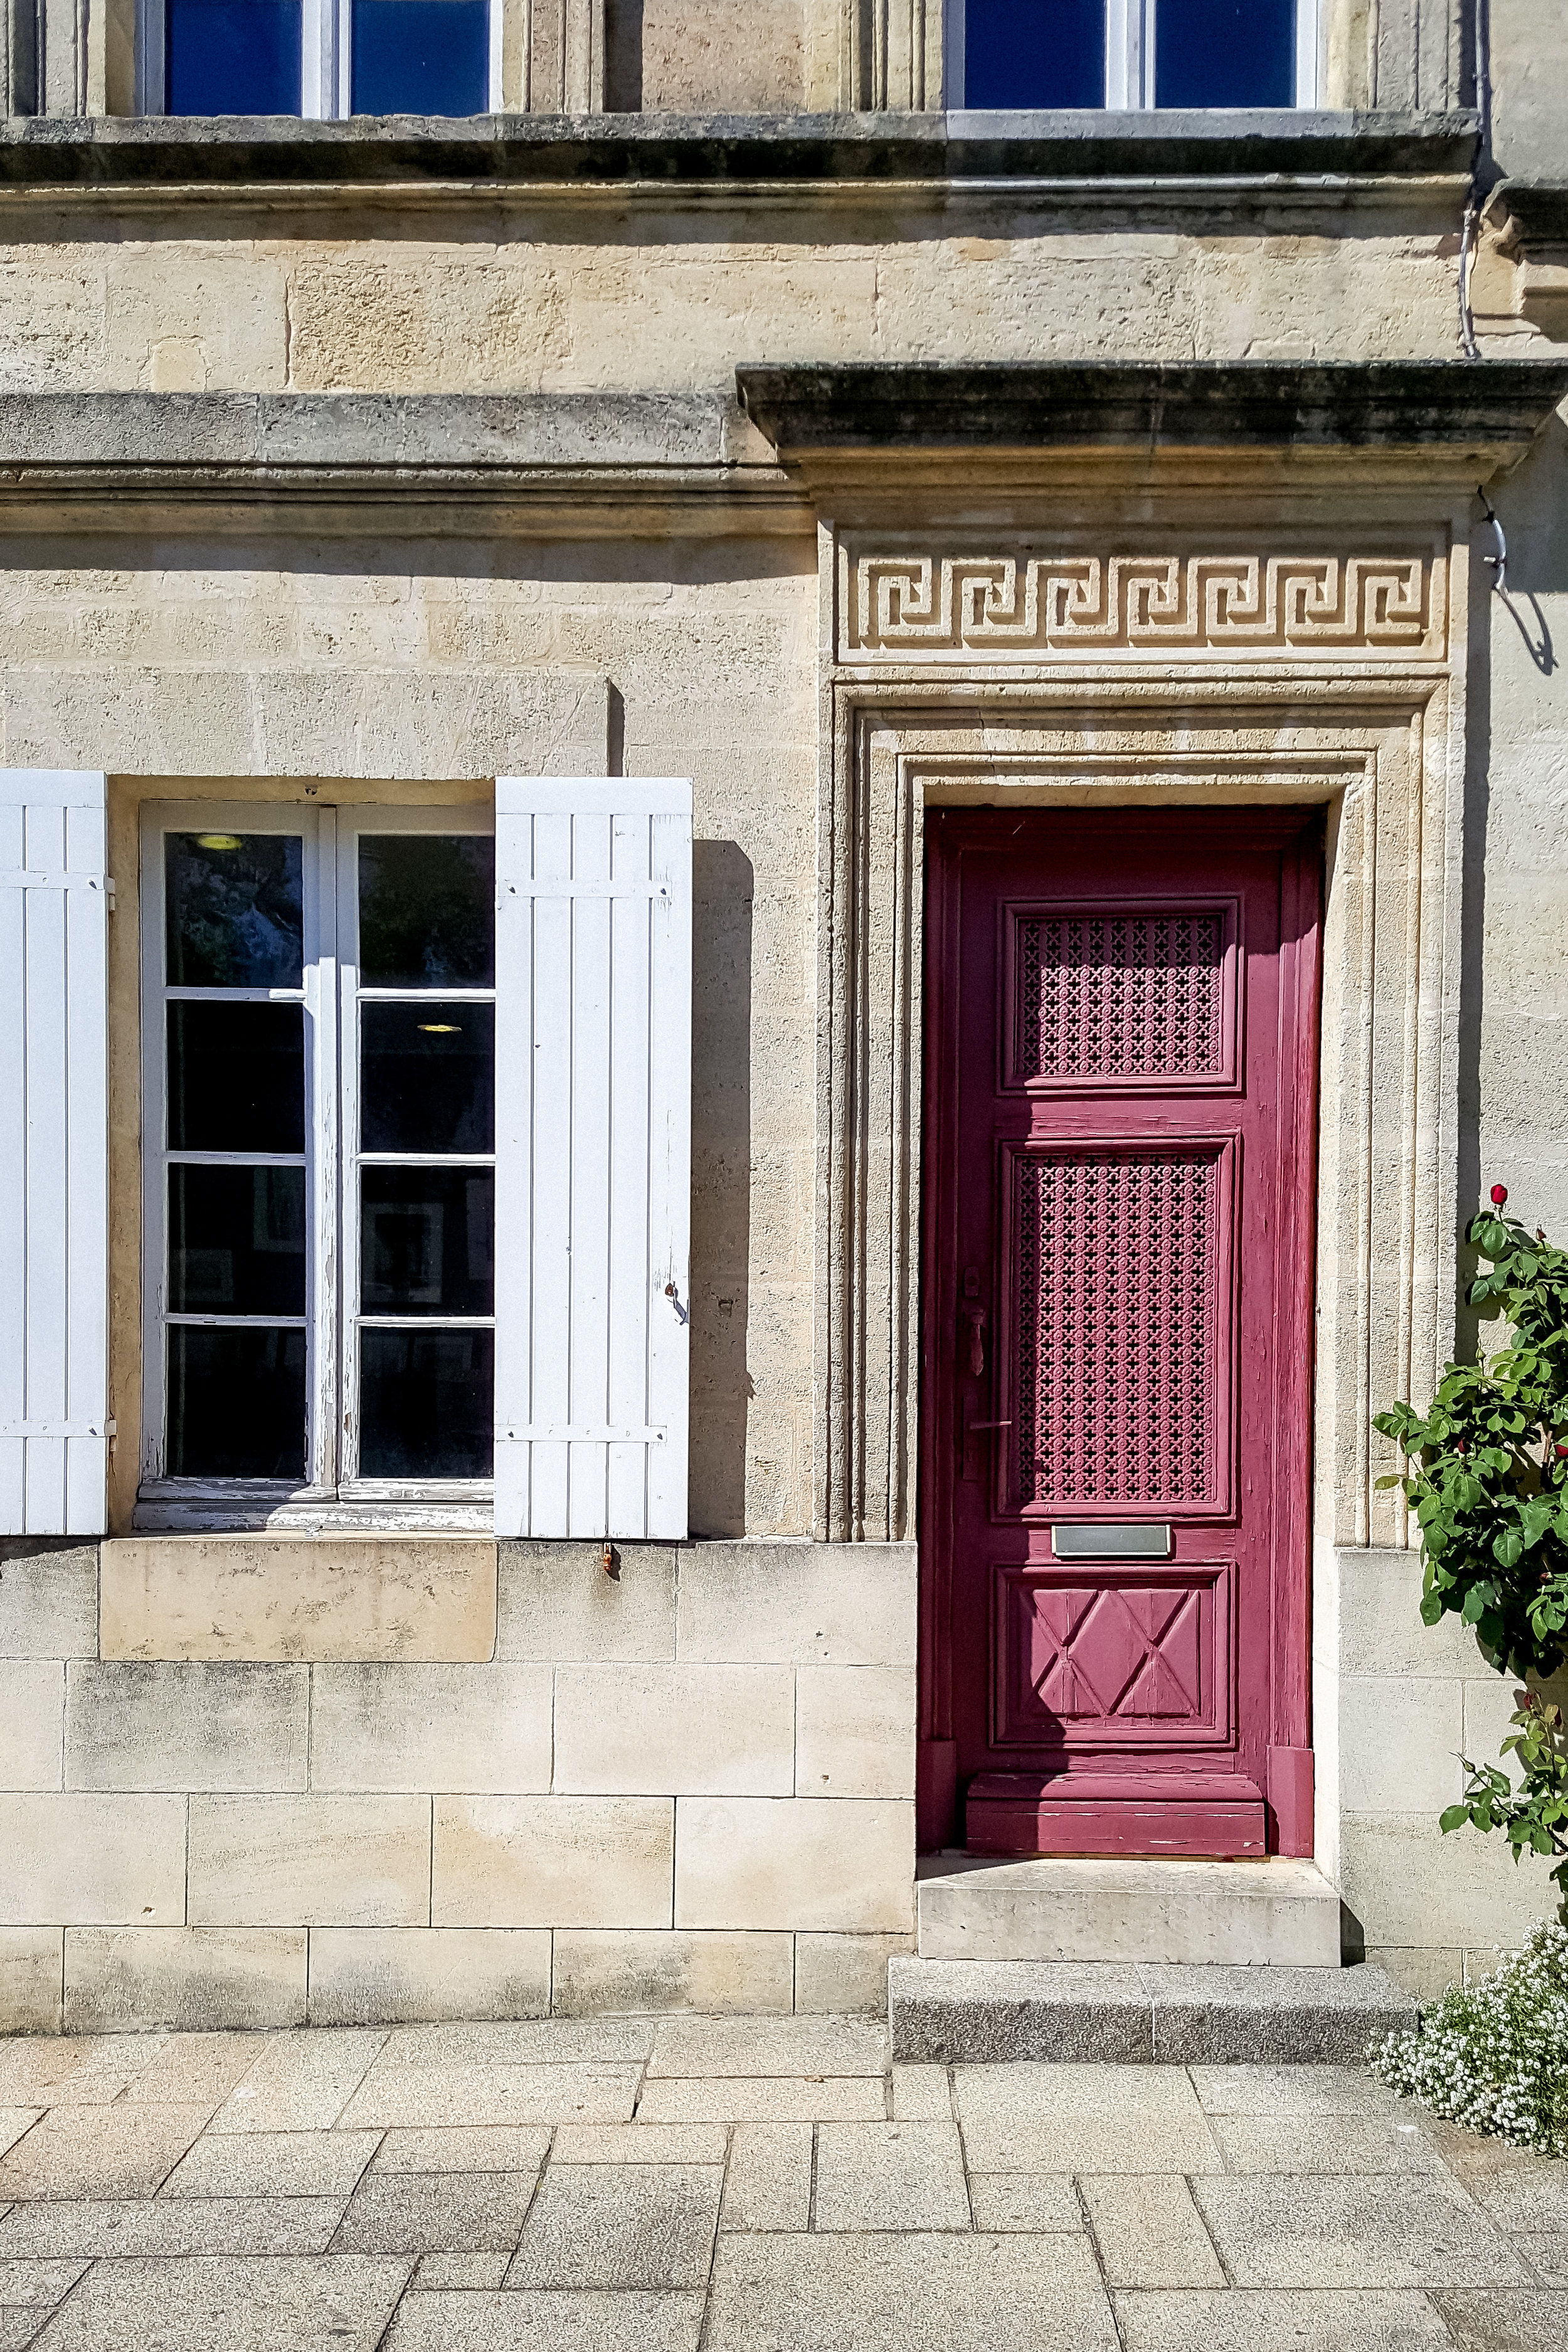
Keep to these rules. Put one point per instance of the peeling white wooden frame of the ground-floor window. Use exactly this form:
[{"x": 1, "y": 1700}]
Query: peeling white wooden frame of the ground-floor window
[{"x": 333, "y": 1495}]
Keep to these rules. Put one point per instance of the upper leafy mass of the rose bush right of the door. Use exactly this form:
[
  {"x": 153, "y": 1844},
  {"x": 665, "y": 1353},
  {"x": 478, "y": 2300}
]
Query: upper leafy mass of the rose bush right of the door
[{"x": 1492, "y": 1462}]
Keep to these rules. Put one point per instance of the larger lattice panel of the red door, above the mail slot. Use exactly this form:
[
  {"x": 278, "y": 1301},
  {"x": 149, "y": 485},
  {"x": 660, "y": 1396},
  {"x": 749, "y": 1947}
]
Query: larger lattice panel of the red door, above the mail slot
[{"x": 1118, "y": 1358}]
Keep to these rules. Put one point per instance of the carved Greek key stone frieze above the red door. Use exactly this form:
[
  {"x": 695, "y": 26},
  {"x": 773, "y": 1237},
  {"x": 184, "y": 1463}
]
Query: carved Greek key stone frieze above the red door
[{"x": 913, "y": 603}]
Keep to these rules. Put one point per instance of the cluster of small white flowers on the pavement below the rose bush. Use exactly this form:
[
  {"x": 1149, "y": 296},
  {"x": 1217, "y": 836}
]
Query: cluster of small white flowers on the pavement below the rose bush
[{"x": 1496, "y": 2054}]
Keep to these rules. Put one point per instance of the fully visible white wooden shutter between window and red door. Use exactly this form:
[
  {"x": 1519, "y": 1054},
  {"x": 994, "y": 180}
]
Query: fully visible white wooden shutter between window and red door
[{"x": 594, "y": 1156}]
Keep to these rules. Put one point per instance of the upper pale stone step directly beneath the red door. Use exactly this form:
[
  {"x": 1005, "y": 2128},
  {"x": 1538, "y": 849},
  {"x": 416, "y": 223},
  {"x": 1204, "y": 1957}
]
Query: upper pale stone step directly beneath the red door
[{"x": 1167, "y": 1913}]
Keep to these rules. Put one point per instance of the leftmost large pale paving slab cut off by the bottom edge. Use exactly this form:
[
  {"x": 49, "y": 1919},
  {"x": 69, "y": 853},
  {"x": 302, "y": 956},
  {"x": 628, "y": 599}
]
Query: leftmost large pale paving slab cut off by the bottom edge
[{"x": 337, "y": 2304}]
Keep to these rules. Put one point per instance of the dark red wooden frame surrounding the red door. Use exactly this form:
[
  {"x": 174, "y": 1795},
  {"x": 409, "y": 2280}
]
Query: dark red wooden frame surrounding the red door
[{"x": 1299, "y": 834}]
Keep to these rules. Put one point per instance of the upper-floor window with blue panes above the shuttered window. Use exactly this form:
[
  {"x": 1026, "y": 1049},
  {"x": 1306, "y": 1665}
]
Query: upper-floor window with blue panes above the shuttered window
[{"x": 319, "y": 58}]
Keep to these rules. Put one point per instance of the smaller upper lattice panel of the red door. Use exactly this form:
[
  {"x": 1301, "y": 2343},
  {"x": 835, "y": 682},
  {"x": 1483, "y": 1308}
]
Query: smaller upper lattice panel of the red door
[{"x": 1120, "y": 996}]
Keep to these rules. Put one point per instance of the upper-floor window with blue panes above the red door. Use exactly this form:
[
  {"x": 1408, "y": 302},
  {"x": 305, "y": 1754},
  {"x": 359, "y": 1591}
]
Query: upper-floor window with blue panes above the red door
[{"x": 1132, "y": 53}]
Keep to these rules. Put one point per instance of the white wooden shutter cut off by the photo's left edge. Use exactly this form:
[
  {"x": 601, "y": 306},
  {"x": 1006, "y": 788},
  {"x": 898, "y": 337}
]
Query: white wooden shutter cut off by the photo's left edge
[{"x": 53, "y": 1154}]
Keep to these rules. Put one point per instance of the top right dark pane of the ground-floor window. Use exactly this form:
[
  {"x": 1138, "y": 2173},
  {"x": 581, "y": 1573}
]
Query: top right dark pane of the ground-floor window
[{"x": 429, "y": 911}]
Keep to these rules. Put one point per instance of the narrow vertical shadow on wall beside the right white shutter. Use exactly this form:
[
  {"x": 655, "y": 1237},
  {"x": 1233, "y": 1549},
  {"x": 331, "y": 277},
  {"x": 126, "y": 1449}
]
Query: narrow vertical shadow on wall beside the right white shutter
[{"x": 721, "y": 1182}]
